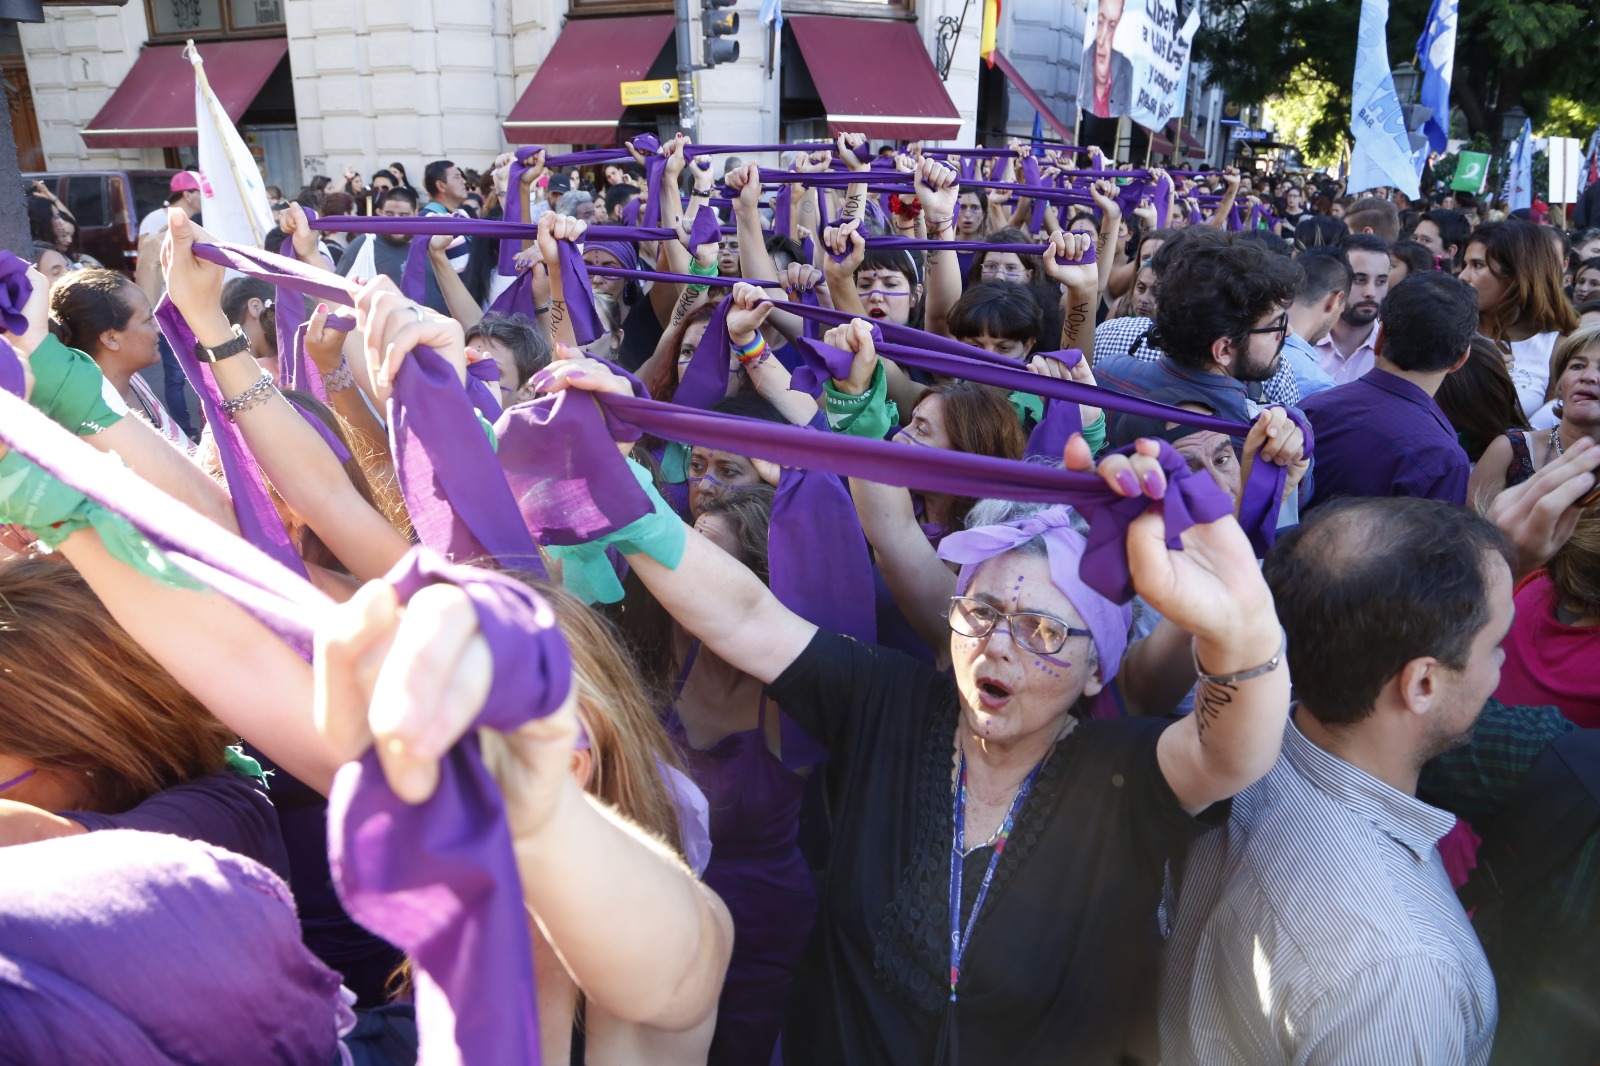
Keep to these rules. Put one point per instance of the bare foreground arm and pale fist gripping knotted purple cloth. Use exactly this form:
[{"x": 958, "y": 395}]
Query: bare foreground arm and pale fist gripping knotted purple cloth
[{"x": 636, "y": 931}]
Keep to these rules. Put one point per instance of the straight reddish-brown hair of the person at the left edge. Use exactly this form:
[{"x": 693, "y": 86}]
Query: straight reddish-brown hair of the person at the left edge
[{"x": 79, "y": 695}]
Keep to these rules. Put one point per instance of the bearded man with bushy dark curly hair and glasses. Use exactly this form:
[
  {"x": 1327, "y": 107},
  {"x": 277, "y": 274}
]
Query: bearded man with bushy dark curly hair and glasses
[{"x": 1222, "y": 318}]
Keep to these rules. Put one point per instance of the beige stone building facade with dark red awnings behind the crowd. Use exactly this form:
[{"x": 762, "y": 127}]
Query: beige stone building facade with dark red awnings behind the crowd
[{"x": 369, "y": 82}]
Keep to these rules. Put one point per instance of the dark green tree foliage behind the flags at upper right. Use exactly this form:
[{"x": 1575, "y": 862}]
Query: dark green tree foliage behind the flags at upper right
[{"x": 1529, "y": 54}]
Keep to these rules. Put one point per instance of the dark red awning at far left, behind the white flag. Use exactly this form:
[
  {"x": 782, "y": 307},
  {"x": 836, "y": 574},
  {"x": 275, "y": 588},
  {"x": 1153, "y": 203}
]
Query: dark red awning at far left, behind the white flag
[{"x": 156, "y": 103}]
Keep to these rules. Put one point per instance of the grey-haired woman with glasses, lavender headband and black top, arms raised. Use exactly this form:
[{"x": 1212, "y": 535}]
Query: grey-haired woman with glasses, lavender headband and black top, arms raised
[{"x": 994, "y": 884}]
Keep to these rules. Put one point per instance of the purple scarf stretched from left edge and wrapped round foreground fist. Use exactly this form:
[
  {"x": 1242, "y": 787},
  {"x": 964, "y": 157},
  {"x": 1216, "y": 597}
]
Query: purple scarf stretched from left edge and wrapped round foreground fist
[{"x": 471, "y": 942}]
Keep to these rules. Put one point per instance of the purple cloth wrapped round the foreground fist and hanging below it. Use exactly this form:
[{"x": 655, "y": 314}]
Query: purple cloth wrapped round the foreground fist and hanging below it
[{"x": 439, "y": 880}]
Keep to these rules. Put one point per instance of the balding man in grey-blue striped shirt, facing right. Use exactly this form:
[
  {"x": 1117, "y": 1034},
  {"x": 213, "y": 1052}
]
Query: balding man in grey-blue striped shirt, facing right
[{"x": 1319, "y": 926}]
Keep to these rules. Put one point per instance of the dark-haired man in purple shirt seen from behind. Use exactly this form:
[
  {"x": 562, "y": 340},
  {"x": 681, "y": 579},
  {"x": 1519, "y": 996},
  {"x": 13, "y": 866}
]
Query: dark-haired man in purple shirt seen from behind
[{"x": 1383, "y": 435}]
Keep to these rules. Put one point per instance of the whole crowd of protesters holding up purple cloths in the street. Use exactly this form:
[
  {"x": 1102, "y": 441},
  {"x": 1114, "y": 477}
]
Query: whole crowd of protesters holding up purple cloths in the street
[{"x": 847, "y": 609}]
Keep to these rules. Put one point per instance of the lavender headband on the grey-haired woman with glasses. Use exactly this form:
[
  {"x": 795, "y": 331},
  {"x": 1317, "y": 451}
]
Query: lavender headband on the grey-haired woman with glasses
[{"x": 1066, "y": 548}]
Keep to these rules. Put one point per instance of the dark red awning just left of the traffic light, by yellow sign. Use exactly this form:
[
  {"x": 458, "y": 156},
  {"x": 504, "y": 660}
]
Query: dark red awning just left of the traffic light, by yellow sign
[{"x": 577, "y": 97}]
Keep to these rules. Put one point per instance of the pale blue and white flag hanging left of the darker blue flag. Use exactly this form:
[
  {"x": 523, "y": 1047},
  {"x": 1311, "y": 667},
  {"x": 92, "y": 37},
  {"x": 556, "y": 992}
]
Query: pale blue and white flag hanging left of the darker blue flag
[{"x": 1383, "y": 150}]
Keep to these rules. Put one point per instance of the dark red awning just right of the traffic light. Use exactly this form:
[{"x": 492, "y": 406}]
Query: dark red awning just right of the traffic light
[{"x": 876, "y": 78}]
